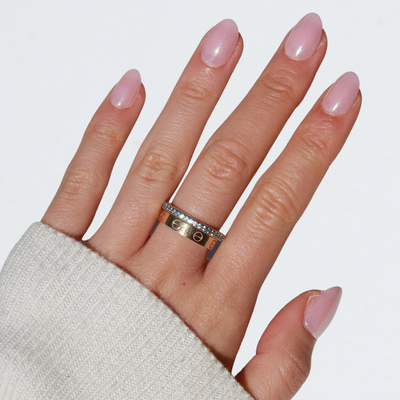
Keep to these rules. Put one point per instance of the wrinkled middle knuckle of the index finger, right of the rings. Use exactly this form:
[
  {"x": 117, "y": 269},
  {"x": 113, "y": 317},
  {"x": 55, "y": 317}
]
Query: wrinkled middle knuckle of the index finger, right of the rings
[{"x": 275, "y": 206}]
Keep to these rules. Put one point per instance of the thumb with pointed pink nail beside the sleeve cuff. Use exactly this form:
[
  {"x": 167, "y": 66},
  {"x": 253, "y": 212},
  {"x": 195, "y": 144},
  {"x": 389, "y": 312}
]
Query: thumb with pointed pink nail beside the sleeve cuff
[{"x": 283, "y": 357}]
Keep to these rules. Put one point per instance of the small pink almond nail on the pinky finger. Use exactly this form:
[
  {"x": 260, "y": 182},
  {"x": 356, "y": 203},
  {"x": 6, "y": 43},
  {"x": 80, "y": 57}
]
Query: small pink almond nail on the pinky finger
[{"x": 126, "y": 90}]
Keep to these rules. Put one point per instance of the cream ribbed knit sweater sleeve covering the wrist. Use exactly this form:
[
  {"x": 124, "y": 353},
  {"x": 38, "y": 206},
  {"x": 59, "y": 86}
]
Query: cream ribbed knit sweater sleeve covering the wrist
[{"x": 75, "y": 326}]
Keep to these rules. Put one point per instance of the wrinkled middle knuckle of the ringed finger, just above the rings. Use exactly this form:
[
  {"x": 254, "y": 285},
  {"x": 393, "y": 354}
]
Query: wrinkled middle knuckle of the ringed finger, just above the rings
[{"x": 225, "y": 161}]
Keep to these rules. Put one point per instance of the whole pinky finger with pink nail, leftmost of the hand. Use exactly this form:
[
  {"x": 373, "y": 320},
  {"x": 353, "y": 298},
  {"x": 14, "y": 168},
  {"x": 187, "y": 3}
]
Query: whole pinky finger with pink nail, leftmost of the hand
[{"x": 76, "y": 201}]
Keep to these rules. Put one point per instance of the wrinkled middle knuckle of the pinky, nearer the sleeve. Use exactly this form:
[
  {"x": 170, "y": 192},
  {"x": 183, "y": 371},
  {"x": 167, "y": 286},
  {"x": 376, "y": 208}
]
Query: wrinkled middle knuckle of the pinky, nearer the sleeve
[{"x": 81, "y": 180}]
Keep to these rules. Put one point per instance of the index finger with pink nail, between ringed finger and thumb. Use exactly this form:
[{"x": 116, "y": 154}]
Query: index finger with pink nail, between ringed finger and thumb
[{"x": 277, "y": 201}]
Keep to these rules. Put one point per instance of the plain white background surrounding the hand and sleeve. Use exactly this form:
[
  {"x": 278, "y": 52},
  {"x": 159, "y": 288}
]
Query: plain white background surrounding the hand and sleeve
[{"x": 60, "y": 58}]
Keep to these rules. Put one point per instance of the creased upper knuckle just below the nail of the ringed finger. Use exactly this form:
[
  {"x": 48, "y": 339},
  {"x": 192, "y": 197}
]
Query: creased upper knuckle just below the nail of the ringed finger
[{"x": 280, "y": 86}]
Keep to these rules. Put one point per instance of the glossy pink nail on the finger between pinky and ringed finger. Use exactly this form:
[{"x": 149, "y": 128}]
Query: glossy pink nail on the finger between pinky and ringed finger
[{"x": 220, "y": 44}]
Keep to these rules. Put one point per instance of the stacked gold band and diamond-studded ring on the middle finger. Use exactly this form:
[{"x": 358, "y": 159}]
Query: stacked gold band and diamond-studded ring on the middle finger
[{"x": 189, "y": 227}]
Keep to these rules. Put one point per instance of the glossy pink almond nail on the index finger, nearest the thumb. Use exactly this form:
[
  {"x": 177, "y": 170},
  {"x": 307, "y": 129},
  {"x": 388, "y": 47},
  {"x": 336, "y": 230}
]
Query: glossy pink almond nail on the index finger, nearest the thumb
[{"x": 342, "y": 94}]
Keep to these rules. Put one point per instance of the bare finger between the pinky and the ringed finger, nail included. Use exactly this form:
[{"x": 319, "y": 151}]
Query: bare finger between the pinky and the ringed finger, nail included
[{"x": 165, "y": 154}]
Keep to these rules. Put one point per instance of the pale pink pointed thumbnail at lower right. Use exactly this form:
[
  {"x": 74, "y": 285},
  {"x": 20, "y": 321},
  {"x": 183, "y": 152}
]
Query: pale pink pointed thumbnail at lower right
[{"x": 321, "y": 311}]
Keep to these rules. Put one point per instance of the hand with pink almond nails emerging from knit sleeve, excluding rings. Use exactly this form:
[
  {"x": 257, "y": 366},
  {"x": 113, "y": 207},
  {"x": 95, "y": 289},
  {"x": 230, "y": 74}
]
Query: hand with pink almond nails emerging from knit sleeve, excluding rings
[{"x": 216, "y": 298}]
